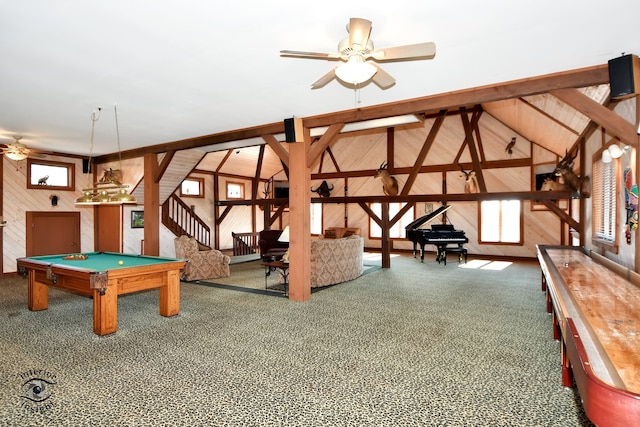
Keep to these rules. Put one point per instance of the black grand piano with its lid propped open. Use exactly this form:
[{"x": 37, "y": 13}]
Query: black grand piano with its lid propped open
[{"x": 439, "y": 235}]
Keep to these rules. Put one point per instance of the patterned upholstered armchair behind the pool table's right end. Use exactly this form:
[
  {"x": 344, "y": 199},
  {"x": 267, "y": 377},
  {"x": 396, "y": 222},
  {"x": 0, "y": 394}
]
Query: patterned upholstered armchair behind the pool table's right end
[{"x": 201, "y": 264}]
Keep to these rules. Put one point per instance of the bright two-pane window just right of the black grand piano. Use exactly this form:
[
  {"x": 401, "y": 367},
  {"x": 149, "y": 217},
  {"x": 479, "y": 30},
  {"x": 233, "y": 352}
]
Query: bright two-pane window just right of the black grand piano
[{"x": 501, "y": 222}]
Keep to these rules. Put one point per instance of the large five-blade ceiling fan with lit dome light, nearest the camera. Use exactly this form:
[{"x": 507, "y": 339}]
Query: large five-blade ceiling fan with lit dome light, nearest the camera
[{"x": 359, "y": 57}]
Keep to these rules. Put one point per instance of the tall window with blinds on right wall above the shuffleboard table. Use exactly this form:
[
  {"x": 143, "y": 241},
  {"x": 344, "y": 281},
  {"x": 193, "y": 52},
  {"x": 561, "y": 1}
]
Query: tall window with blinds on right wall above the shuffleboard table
[{"x": 604, "y": 193}]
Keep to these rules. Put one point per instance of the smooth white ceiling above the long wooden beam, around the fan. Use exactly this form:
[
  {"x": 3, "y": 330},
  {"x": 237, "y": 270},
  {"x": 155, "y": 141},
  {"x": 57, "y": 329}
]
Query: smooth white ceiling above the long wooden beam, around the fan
[{"x": 181, "y": 69}]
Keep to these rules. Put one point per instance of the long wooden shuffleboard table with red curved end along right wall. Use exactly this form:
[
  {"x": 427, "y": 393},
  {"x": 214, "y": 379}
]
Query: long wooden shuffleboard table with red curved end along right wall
[{"x": 596, "y": 315}]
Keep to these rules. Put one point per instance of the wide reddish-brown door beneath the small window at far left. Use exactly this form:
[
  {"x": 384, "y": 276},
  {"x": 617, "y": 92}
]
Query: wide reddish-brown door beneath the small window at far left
[{"x": 50, "y": 233}]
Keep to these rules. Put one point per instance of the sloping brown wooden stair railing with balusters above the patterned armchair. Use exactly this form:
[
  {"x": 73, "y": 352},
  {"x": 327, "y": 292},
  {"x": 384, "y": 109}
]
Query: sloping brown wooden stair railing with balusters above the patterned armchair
[{"x": 178, "y": 217}]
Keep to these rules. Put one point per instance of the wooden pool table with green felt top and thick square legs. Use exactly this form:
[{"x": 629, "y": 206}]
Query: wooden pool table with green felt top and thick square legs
[{"x": 103, "y": 276}]
